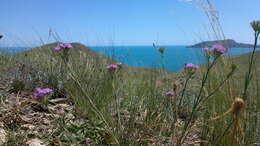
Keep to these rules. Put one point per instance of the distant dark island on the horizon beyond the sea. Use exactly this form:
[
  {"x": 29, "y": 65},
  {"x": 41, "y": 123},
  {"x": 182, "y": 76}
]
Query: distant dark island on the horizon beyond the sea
[{"x": 228, "y": 43}]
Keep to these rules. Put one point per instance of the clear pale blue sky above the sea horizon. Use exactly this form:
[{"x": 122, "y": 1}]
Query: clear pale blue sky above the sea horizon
[{"x": 121, "y": 22}]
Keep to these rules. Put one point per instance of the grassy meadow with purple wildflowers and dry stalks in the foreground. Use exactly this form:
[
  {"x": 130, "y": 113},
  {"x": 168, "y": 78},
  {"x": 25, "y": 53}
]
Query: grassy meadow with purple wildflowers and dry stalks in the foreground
[{"x": 68, "y": 94}]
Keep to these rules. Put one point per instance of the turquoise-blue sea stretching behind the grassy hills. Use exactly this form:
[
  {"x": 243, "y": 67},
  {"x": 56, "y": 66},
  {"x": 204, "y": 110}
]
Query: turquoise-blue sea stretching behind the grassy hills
[{"x": 173, "y": 58}]
